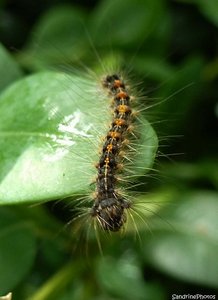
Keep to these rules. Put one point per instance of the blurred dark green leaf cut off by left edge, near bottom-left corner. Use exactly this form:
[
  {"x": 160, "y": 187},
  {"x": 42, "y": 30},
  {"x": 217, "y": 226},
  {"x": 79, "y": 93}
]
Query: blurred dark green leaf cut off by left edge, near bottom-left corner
[{"x": 17, "y": 253}]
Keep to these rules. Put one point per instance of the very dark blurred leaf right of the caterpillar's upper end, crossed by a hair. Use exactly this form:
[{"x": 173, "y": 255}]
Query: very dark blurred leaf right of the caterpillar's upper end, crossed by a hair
[{"x": 180, "y": 93}]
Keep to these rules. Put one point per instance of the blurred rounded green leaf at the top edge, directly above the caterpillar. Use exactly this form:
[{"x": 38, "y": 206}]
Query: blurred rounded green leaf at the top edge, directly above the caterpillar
[{"x": 125, "y": 22}]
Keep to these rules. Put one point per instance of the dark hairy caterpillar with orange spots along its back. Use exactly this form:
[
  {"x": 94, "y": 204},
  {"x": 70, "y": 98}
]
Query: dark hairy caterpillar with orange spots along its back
[{"x": 109, "y": 206}]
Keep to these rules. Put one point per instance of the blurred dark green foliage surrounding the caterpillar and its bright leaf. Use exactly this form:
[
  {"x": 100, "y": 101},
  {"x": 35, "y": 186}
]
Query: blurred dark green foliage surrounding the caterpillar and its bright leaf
[{"x": 171, "y": 48}]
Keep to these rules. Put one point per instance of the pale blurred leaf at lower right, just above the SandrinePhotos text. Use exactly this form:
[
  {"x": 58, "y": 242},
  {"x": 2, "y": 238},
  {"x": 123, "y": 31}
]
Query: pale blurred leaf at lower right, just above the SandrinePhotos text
[{"x": 189, "y": 249}]
